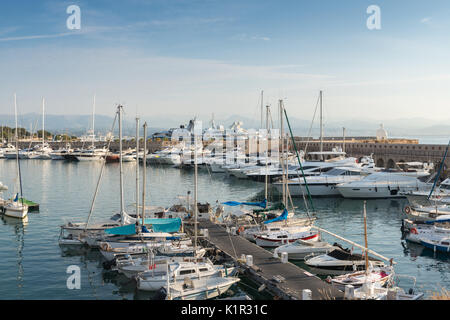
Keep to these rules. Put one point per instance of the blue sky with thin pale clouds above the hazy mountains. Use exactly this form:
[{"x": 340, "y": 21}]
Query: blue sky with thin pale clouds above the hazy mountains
[{"x": 198, "y": 57}]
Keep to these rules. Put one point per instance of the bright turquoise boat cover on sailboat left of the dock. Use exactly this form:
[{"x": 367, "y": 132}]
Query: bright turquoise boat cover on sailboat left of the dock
[{"x": 157, "y": 225}]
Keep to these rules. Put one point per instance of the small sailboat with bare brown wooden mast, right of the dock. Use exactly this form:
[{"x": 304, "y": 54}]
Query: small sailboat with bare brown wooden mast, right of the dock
[{"x": 374, "y": 275}]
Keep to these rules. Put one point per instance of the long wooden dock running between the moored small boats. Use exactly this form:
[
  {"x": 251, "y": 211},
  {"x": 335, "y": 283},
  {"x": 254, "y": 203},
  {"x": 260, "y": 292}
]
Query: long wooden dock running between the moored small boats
[{"x": 284, "y": 280}]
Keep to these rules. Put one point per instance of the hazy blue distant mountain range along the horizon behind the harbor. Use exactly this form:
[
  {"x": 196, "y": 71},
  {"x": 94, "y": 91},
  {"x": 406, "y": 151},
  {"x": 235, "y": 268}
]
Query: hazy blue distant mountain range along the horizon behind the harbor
[{"x": 79, "y": 124}]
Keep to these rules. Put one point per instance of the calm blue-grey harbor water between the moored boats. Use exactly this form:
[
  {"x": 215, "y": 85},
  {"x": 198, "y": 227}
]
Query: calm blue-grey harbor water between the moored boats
[{"x": 33, "y": 266}]
